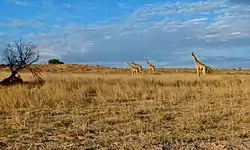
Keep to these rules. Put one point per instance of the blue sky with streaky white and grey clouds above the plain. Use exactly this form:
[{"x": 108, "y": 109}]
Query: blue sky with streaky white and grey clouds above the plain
[{"x": 110, "y": 32}]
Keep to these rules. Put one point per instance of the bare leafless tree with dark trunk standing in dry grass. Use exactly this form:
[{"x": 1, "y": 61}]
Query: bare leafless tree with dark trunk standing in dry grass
[{"x": 18, "y": 55}]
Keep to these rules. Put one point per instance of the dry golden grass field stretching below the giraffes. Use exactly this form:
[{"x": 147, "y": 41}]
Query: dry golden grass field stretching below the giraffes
[{"x": 113, "y": 109}]
